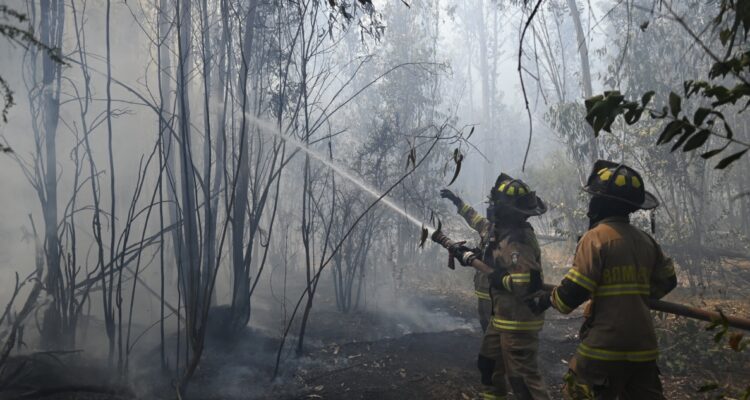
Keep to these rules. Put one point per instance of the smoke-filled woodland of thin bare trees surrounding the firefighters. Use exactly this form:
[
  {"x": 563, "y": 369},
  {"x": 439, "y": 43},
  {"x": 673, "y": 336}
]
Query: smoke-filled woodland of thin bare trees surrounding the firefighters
[{"x": 224, "y": 198}]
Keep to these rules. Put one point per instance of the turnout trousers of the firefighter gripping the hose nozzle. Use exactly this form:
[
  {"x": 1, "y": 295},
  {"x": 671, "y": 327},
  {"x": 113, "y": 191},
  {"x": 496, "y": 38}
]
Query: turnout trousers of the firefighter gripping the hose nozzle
[{"x": 515, "y": 355}]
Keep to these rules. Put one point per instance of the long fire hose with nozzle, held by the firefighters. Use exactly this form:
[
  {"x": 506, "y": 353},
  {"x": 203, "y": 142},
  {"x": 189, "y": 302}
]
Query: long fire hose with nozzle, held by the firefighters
[{"x": 654, "y": 304}]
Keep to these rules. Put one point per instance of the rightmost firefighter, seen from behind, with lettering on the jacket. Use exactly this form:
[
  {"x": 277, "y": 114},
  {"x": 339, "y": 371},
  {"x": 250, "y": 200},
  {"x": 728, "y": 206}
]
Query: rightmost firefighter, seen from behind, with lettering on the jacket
[{"x": 617, "y": 267}]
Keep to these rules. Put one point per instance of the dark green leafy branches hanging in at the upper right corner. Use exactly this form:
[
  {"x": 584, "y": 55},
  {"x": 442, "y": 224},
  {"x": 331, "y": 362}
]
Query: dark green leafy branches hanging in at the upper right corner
[{"x": 727, "y": 85}]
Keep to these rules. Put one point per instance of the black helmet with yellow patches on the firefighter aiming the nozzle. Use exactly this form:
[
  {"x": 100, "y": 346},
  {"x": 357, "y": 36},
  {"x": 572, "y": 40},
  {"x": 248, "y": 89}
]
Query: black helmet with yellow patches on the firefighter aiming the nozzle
[{"x": 514, "y": 194}]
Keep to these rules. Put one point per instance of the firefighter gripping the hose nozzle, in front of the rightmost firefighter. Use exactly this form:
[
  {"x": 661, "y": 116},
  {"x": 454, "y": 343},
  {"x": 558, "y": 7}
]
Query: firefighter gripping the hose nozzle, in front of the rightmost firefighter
[{"x": 510, "y": 343}]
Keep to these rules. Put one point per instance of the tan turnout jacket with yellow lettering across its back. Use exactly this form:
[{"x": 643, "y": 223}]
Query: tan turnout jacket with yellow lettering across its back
[{"x": 619, "y": 266}]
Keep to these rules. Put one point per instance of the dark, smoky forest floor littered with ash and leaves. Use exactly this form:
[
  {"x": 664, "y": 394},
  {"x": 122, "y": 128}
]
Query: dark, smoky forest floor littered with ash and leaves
[{"x": 422, "y": 346}]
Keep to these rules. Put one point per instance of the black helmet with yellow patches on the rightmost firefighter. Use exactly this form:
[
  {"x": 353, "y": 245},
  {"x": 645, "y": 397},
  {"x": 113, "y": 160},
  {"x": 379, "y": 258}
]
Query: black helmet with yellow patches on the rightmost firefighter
[{"x": 619, "y": 182}]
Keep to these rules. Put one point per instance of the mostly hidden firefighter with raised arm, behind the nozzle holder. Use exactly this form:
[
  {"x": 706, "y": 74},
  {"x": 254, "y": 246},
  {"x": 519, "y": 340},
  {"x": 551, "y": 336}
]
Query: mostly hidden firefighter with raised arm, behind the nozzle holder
[{"x": 481, "y": 283}]
